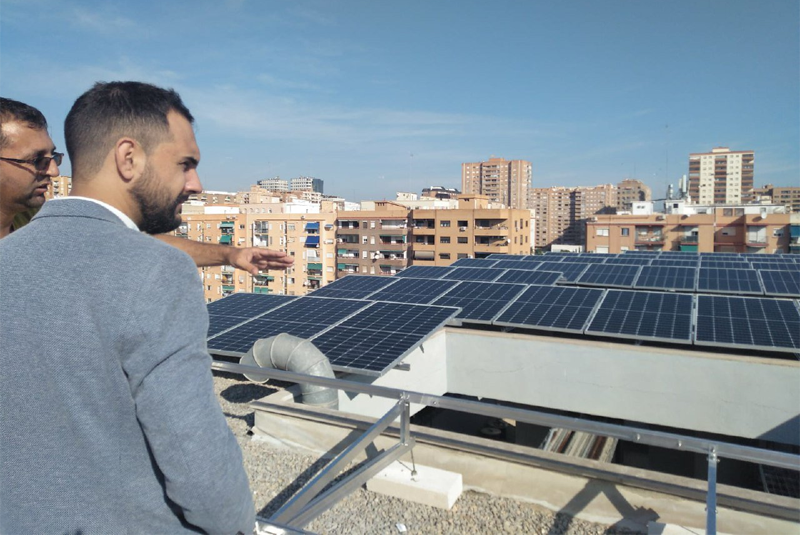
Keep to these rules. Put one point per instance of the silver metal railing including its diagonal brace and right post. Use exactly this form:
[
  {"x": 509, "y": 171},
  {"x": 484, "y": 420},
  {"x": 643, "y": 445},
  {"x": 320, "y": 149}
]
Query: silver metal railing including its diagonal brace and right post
[{"x": 714, "y": 450}]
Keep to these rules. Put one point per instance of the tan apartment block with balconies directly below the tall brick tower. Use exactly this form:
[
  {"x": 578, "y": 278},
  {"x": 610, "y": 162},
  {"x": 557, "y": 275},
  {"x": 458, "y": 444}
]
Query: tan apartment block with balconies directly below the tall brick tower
[{"x": 440, "y": 237}]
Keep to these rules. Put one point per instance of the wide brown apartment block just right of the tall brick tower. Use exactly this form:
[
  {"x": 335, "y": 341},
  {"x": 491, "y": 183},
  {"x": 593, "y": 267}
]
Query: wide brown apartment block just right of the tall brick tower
[{"x": 561, "y": 213}]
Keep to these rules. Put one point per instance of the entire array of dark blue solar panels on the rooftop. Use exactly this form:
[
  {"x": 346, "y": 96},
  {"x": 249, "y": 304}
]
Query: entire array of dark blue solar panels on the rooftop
[{"x": 367, "y": 324}]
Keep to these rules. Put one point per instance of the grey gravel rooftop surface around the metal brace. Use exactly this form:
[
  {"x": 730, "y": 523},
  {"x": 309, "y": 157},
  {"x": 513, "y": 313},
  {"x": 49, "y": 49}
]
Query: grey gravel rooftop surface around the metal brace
[{"x": 276, "y": 474}]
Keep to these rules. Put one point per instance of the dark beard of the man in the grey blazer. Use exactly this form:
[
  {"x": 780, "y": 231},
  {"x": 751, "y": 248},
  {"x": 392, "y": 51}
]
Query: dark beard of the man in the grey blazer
[{"x": 156, "y": 206}]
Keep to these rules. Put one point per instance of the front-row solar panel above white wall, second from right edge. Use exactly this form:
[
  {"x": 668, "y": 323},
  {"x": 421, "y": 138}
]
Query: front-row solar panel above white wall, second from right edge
[{"x": 658, "y": 316}]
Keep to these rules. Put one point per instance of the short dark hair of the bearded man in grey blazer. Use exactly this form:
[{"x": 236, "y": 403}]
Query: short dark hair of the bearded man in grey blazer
[{"x": 110, "y": 110}]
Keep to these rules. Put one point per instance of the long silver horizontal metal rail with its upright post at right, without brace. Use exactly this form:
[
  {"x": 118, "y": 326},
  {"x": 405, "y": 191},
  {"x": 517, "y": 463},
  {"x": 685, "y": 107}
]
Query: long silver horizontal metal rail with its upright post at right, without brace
[{"x": 713, "y": 450}]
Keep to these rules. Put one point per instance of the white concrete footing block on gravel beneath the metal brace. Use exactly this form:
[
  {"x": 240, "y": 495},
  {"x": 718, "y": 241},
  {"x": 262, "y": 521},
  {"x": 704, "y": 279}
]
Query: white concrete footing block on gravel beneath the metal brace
[{"x": 429, "y": 486}]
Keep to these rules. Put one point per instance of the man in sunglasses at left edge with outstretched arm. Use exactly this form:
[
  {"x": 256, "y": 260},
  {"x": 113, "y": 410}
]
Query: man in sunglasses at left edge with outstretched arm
[{"x": 28, "y": 162}]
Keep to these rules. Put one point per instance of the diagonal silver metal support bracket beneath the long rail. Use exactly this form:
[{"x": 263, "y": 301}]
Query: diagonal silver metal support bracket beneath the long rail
[{"x": 308, "y": 503}]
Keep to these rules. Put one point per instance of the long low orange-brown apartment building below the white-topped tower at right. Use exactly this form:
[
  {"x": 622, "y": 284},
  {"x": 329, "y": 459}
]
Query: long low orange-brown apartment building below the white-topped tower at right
[{"x": 722, "y": 229}]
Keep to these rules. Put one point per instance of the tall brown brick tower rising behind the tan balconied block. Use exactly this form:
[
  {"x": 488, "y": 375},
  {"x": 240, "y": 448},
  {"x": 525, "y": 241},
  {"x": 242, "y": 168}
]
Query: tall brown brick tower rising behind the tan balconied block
[{"x": 501, "y": 180}]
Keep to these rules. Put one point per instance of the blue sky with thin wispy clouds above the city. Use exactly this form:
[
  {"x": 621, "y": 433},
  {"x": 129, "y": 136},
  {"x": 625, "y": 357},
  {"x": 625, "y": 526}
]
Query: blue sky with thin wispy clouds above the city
[{"x": 375, "y": 97}]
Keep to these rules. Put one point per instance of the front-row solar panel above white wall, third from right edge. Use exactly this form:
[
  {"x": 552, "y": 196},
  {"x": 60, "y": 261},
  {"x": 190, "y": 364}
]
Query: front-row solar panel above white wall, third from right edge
[{"x": 555, "y": 308}]
